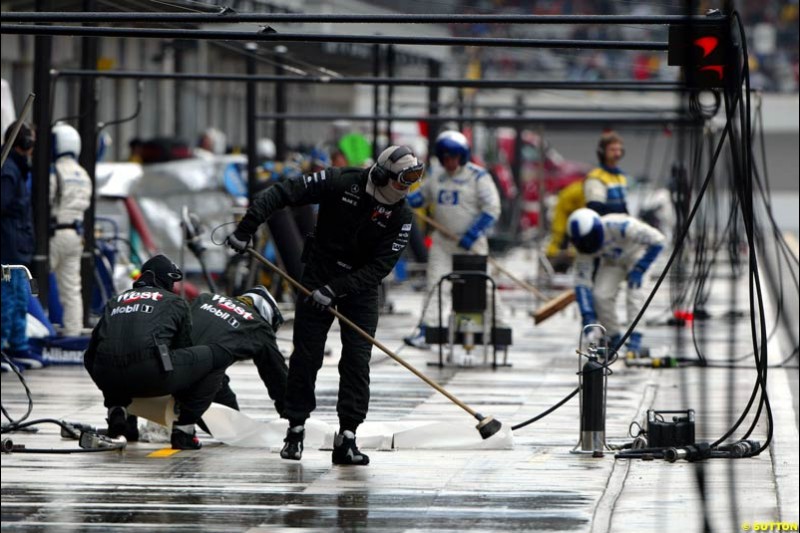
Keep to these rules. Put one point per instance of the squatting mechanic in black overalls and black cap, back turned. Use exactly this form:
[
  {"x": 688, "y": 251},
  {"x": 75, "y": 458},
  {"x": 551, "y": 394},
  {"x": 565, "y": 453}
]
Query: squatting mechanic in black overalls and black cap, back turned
[{"x": 142, "y": 347}]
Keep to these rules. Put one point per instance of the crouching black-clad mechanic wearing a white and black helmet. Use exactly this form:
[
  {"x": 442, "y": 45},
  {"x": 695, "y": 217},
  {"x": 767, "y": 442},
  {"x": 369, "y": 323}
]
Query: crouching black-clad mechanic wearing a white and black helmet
[{"x": 245, "y": 327}]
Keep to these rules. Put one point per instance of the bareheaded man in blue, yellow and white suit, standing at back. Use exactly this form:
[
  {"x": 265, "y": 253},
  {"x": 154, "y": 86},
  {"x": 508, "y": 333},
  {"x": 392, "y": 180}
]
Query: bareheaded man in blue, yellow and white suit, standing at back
[{"x": 605, "y": 187}]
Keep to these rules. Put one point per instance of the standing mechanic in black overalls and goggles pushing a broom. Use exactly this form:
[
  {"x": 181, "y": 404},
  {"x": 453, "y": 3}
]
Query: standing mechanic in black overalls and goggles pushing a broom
[{"x": 362, "y": 228}]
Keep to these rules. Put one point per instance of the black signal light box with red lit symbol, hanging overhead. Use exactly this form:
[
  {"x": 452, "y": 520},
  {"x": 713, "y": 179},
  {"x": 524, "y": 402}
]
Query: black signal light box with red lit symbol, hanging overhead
[{"x": 705, "y": 50}]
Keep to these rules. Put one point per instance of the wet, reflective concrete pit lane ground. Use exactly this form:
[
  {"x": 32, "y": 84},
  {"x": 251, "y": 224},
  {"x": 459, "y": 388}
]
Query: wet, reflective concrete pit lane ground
[{"x": 536, "y": 486}]
